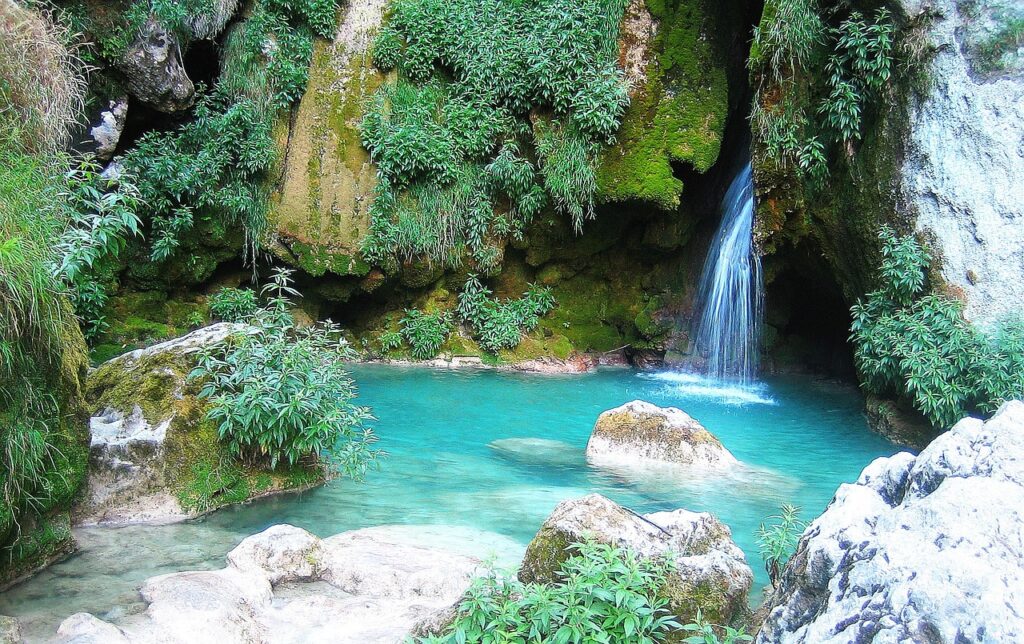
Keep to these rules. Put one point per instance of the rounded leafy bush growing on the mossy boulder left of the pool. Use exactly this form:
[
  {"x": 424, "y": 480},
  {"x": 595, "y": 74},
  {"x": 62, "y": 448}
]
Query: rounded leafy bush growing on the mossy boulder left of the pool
[{"x": 282, "y": 395}]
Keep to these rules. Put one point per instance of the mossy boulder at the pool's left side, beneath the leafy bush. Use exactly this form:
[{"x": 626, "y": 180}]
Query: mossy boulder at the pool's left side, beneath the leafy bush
[{"x": 155, "y": 456}]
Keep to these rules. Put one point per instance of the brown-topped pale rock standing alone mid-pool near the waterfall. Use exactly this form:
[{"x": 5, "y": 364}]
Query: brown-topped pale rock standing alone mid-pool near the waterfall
[{"x": 642, "y": 432}]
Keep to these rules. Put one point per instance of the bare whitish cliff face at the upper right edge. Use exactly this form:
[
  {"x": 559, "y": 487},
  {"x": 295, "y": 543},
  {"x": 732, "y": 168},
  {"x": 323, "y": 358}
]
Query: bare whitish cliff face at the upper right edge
[{"x": 963, "y": 174}]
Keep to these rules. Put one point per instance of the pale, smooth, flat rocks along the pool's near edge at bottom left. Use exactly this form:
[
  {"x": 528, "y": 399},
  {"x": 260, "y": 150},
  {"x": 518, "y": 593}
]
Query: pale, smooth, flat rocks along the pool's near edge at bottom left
[{"x": 286, "y": 585}]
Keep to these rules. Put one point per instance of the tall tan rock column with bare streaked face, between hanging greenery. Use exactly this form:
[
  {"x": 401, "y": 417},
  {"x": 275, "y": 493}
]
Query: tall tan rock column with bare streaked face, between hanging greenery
[{"x": 320, "y": 209}]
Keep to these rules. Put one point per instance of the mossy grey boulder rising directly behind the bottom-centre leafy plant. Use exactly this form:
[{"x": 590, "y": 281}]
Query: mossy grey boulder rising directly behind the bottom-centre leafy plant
[{"x": 711, "y": 572}]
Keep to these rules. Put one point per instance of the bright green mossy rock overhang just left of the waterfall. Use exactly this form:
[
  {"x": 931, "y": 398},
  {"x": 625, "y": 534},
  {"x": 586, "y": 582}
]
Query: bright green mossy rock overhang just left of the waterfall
[{"x": 677, "y": 117}]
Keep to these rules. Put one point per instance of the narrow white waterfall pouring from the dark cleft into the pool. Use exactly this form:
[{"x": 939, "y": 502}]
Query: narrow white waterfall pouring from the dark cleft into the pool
[{"x": 732, "y": 295}]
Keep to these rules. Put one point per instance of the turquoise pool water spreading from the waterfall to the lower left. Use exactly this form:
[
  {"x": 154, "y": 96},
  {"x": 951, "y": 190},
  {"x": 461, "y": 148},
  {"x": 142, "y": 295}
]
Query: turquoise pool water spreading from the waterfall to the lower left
[{"x": 800, "y": 438}]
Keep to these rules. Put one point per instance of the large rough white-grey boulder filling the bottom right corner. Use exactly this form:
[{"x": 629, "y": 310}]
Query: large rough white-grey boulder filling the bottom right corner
[{"x": 926, "y": 549}]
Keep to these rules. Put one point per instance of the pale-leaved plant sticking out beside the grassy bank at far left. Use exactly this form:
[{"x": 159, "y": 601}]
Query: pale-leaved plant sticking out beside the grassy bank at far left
[{"x": 101, "y": 216}]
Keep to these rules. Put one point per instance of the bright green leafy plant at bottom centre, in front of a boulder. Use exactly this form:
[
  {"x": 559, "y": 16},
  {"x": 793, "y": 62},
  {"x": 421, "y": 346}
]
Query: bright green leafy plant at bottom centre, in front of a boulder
[{"x": 607, "y": 595}]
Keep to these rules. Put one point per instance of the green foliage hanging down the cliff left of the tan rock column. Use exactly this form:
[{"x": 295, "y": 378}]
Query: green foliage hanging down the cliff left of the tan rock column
[{"x": 217, "y": 165}]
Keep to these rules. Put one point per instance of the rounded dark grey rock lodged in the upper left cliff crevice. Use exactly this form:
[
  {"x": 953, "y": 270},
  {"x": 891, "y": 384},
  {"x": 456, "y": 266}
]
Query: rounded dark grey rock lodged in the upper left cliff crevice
[{"x": 154, "y": 71}]
